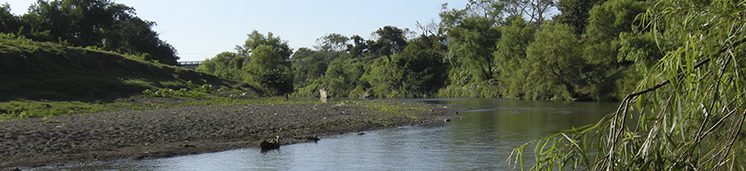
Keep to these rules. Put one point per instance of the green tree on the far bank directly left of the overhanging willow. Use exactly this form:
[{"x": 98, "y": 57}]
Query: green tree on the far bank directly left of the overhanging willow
[{"x": 605, "y": 25}]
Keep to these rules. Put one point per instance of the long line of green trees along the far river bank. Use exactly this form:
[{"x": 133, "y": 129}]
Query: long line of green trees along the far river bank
[{"x": 592, "y": 50}]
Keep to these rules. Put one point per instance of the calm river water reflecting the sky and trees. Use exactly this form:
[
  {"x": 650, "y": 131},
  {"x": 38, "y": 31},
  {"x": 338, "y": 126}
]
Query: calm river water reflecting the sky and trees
[{"x": 482, "y": 140}]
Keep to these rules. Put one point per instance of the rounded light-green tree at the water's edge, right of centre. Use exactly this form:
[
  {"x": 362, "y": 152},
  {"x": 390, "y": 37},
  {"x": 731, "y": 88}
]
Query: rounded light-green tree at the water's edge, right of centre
[{"x": 555, "y": 61}]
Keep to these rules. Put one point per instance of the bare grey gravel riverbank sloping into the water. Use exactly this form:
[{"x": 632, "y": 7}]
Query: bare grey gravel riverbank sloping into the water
[{"x": 129, "y": 134}]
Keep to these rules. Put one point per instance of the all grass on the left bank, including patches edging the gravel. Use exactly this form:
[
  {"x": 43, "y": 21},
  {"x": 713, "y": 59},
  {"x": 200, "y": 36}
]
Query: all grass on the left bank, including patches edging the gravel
[{"x": 42, "y": 79}]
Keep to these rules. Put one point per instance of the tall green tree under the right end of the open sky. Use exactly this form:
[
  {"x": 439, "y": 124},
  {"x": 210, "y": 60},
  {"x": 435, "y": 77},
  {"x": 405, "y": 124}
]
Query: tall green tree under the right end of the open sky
[{"x": 471, "y": 35}]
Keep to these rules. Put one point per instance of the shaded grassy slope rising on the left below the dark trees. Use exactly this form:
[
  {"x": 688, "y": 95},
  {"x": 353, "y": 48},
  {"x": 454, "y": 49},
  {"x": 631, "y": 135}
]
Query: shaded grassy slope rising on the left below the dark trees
[{"x": 48, "y": 71}]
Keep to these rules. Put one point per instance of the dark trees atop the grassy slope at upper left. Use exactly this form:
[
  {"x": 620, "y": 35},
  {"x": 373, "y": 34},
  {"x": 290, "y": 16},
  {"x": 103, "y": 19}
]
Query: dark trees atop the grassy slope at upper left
[{"x": 100, "y": 24}]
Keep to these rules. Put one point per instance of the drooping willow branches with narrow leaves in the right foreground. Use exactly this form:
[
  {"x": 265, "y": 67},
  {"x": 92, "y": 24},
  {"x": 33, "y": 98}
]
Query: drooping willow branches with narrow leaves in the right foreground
[{"x": 689, "y": 111}]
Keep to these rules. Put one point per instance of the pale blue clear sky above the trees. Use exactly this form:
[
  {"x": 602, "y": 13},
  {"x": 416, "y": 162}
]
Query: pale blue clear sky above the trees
[{"x": 200, "y": 29}]
